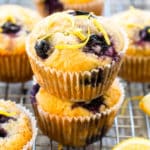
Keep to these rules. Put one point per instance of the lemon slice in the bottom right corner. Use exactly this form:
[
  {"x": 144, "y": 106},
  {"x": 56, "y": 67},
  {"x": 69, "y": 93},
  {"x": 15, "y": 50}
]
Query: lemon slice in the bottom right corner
[{"x": 135, "y": 143}]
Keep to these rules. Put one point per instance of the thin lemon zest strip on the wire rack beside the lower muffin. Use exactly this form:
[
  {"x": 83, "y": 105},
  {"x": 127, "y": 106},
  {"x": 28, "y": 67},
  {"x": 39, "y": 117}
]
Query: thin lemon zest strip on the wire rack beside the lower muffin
[{"x": 124, "y": 106}]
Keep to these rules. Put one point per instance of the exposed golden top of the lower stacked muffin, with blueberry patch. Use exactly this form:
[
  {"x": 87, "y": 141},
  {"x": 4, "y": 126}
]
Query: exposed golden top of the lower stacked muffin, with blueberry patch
[{"x": 65, "y": 107}]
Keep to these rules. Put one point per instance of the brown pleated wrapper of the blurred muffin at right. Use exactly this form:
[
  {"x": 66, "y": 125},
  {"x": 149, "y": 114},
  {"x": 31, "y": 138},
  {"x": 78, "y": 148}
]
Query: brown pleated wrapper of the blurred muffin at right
[{"x": 135, "y": 69}]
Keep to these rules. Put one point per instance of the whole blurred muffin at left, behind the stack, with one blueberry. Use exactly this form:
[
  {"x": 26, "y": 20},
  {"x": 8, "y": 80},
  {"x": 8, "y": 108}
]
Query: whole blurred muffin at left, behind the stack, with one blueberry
[{"x": 15, "y": 24}]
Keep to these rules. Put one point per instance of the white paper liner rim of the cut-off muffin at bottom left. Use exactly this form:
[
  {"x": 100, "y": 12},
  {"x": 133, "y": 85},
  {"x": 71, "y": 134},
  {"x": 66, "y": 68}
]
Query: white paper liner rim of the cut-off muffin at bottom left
[{"x": 30, "y": 143}]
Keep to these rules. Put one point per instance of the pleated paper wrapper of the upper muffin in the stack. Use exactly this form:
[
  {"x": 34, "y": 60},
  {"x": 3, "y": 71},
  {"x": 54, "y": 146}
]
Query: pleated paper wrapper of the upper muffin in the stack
[{"x": 67, "y": 85}]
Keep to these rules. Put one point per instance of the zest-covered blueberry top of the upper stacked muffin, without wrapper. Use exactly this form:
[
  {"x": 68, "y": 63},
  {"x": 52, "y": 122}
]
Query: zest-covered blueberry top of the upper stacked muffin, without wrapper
[{"x": 75, "y": 41}]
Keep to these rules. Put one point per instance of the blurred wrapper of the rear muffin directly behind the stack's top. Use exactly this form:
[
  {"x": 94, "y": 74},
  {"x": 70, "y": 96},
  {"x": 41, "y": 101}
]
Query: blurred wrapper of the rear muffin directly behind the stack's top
[{"x": 95, "y": 6}]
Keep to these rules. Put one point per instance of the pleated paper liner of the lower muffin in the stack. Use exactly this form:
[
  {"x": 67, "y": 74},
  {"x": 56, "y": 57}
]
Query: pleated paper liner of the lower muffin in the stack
[{"x": 77, "y": 131}]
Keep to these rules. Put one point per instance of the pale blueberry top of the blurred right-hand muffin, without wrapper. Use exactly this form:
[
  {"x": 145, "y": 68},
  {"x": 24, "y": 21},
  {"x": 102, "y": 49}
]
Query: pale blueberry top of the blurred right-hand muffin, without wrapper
[{"x": 136, "y": 23}]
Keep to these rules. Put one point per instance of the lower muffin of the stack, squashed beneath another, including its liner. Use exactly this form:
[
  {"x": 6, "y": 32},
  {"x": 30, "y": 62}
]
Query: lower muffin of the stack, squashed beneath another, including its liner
[{"x": 83, "y": 122}]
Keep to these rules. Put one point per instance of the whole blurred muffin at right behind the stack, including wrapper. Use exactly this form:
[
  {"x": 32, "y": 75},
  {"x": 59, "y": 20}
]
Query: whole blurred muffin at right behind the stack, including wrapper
[{"x": 136, "y": 23}]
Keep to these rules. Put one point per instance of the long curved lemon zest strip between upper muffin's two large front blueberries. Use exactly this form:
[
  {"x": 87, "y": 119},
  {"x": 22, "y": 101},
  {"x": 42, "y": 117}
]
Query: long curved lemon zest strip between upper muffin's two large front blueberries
[{"x": 75, "y": 46}]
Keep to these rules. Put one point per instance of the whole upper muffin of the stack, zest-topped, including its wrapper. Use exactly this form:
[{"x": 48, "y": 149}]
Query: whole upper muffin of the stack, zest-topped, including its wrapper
[{"x": 75, "y": 55}]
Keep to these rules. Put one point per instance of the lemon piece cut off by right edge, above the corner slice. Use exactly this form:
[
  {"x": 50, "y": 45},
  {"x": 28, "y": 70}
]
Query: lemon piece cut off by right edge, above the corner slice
[{"x": 145, "y": 104}]
